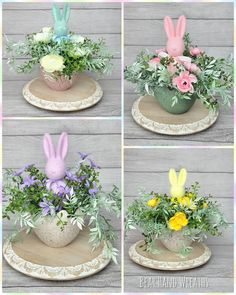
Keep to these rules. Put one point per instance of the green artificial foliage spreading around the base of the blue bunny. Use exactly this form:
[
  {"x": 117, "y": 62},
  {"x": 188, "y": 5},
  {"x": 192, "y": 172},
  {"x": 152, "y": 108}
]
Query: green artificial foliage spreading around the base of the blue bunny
[{"x": 79, "y": 54}]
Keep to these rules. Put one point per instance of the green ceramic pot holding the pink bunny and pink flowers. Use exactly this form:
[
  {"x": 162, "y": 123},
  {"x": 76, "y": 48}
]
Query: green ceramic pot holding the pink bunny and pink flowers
[{"x": 164, "y": 96}]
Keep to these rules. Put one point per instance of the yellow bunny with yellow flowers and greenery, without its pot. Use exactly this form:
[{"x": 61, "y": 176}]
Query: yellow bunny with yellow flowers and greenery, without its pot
[{"x": 185, "y": 210}]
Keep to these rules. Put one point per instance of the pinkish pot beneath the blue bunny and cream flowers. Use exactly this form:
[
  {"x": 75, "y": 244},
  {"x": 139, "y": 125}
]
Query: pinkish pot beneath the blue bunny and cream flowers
[{"x": 60, "y": 83}]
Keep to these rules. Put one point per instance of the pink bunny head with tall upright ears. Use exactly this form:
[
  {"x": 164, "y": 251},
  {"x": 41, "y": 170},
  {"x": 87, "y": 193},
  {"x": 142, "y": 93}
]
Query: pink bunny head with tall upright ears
[{"x": 175, "y": 43}]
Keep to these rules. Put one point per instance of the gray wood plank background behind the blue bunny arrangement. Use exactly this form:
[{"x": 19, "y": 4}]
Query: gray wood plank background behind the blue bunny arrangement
[{"x": 95, "y": 20}]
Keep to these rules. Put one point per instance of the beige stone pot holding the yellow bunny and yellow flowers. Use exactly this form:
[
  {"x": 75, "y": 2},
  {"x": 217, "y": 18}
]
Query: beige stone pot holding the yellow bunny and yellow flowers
[{"x": 176, "y": 242}]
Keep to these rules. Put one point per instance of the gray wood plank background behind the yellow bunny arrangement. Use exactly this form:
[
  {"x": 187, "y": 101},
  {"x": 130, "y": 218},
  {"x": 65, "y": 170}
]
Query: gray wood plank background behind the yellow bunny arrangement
[{"x": 213, "y": 169}]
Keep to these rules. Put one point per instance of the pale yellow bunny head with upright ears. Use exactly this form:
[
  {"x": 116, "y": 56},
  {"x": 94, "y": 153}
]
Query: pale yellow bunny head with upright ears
[{"x": 177, "y": 188}]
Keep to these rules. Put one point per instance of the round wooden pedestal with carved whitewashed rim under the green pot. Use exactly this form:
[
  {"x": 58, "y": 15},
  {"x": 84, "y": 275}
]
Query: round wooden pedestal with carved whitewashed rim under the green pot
[{"x": 147, "y": 112}]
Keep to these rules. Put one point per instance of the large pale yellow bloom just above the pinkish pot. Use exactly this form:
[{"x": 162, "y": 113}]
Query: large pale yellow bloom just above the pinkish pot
[{"x": 52, "y": 63}]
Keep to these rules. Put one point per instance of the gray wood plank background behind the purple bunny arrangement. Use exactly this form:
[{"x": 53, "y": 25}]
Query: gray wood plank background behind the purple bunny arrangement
[{"x": 23, "y": 145}]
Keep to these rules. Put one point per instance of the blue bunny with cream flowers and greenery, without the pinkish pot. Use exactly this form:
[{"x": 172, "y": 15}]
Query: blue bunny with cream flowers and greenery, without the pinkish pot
[{"x": 59, "y": 52}]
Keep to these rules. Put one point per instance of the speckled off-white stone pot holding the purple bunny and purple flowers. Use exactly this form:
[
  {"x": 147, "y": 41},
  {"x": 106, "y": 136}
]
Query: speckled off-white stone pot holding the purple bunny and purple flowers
[{"x": 51, "y": 234}]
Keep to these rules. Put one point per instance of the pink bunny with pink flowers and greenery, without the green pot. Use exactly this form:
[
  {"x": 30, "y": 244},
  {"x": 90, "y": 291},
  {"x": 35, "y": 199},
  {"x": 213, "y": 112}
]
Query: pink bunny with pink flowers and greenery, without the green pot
[{"x": 183, "y": 68}]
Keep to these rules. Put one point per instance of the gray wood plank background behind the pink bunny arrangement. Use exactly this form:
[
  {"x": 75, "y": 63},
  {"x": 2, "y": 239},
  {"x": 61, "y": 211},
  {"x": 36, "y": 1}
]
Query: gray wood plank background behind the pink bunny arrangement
[{"x": 211, "y": 28}]
